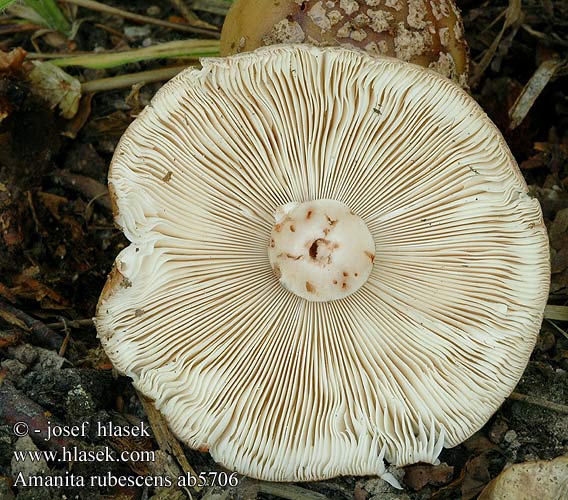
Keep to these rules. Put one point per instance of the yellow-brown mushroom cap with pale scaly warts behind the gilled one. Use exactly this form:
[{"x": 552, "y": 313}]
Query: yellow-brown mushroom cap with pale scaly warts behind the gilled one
[{"x": 428, "y": 33}]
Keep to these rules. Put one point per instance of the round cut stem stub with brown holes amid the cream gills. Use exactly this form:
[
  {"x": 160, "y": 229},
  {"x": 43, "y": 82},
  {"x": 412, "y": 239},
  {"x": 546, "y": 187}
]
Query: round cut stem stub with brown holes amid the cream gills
[{"x": 320, "y": 250}]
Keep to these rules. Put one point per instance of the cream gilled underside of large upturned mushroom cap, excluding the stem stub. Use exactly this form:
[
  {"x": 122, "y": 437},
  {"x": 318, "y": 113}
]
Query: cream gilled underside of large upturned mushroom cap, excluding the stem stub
[{"x": 278, "y": 387}]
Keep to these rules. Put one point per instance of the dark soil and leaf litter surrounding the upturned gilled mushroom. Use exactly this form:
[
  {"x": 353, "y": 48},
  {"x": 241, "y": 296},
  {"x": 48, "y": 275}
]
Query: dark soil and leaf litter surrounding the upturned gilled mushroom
[{"x": 58, "y": 243}]
